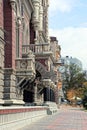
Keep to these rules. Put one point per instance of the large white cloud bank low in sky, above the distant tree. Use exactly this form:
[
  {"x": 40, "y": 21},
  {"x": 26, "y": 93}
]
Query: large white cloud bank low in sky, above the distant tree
[{"x": 73, "y": 42}]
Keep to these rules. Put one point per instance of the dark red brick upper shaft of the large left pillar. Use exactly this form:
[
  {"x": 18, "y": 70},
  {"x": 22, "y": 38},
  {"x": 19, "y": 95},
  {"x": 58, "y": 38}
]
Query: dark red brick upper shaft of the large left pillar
[{"x": 9, "y": 26}]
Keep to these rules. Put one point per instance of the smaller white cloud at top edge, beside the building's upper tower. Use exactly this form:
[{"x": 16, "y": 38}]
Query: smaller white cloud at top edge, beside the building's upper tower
[{"x": 61, "y": 5}]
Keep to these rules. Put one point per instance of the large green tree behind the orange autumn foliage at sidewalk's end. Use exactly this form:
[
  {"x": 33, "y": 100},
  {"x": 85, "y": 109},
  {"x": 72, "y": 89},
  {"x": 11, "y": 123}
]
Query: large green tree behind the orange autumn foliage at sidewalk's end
[{"x": 73, "y": 78}]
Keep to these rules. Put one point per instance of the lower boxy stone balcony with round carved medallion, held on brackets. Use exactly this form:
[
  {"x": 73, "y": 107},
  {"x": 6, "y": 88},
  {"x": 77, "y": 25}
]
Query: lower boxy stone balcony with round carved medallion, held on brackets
[{"x": 25, "y": 67}]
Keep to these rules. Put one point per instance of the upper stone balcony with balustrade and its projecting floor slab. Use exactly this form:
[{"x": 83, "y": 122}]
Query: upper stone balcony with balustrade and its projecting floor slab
[{"x": 37, "y": 49}]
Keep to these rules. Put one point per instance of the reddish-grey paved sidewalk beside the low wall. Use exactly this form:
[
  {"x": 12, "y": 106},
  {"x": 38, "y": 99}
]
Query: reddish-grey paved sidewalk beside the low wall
[{"x": 68, "y": 118}]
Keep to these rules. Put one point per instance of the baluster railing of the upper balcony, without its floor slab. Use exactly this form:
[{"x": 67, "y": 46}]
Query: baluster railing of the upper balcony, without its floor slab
[{"x": 36, "y": 48}]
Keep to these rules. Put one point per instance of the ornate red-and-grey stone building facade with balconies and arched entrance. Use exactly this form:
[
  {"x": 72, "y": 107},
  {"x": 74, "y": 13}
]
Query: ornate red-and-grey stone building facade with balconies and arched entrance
[{"x": 29, "y": 58}]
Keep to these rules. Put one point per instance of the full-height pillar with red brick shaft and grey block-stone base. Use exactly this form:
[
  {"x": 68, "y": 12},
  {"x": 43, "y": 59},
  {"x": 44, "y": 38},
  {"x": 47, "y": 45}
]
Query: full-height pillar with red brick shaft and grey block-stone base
[{"x": 10, "y": 89}]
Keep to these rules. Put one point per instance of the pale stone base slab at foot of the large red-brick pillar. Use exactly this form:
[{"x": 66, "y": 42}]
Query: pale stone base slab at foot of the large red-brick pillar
[{"x": 13, "y": 102}]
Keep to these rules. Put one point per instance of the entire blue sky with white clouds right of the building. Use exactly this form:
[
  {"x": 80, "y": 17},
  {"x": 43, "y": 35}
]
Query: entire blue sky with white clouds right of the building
[{"x": 68, "y": 22}]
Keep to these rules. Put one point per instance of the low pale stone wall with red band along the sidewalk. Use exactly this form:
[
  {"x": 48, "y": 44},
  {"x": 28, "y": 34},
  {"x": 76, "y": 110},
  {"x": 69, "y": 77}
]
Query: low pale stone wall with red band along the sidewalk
[{"x": 13, "y": 118}]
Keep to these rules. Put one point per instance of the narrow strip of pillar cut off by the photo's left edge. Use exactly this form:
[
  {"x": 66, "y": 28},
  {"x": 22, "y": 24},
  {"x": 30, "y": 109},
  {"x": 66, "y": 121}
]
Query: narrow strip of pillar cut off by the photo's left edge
[{"x": 2, "y": 43}]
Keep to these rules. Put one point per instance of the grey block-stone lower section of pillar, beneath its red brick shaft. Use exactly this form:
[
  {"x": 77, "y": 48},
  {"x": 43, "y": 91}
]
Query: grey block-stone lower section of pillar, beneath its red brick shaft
[{"x": 10, "y": 90}]
